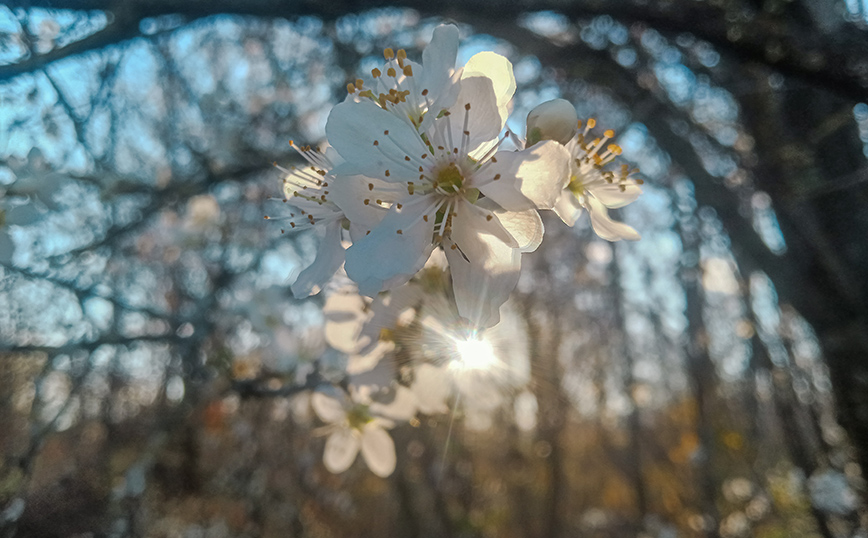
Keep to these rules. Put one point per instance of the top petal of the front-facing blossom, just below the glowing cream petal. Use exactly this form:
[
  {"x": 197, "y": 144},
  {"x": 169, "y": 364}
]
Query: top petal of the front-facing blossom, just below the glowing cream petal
[{"x": 484, "y": 121}]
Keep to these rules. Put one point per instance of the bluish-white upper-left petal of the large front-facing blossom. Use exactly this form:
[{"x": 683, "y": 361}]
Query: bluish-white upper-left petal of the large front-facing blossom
[{"x": 353, "y": 128}]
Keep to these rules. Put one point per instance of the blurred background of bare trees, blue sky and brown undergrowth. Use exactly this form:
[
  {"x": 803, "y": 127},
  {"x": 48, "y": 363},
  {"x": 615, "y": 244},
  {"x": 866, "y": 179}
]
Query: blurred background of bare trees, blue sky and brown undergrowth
[{"x": 710, "y": 380}]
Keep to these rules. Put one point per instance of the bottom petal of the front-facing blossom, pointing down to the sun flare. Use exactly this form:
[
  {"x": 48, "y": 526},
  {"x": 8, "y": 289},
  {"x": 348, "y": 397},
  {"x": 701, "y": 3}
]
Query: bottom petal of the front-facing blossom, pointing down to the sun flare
[{"x": 484, "y": 269}]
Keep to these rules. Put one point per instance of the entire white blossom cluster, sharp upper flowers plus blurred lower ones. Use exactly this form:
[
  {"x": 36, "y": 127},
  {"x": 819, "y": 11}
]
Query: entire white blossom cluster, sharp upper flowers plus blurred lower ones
[{"x": 417, "y": 170}]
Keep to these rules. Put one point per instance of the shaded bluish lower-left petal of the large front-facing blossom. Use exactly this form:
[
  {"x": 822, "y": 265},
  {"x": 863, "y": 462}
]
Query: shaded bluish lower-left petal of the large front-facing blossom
[{"x": 397, "y": 247}]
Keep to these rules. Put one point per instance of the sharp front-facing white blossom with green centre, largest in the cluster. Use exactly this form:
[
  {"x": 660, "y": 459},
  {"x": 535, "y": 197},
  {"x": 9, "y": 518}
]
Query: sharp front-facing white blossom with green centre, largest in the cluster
[{"x": 458, "y": 191}]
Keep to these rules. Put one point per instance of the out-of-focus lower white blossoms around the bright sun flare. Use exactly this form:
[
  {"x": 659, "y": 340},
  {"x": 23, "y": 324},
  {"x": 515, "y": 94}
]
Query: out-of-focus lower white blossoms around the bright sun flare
[{"x": 409, "y": 354}]
